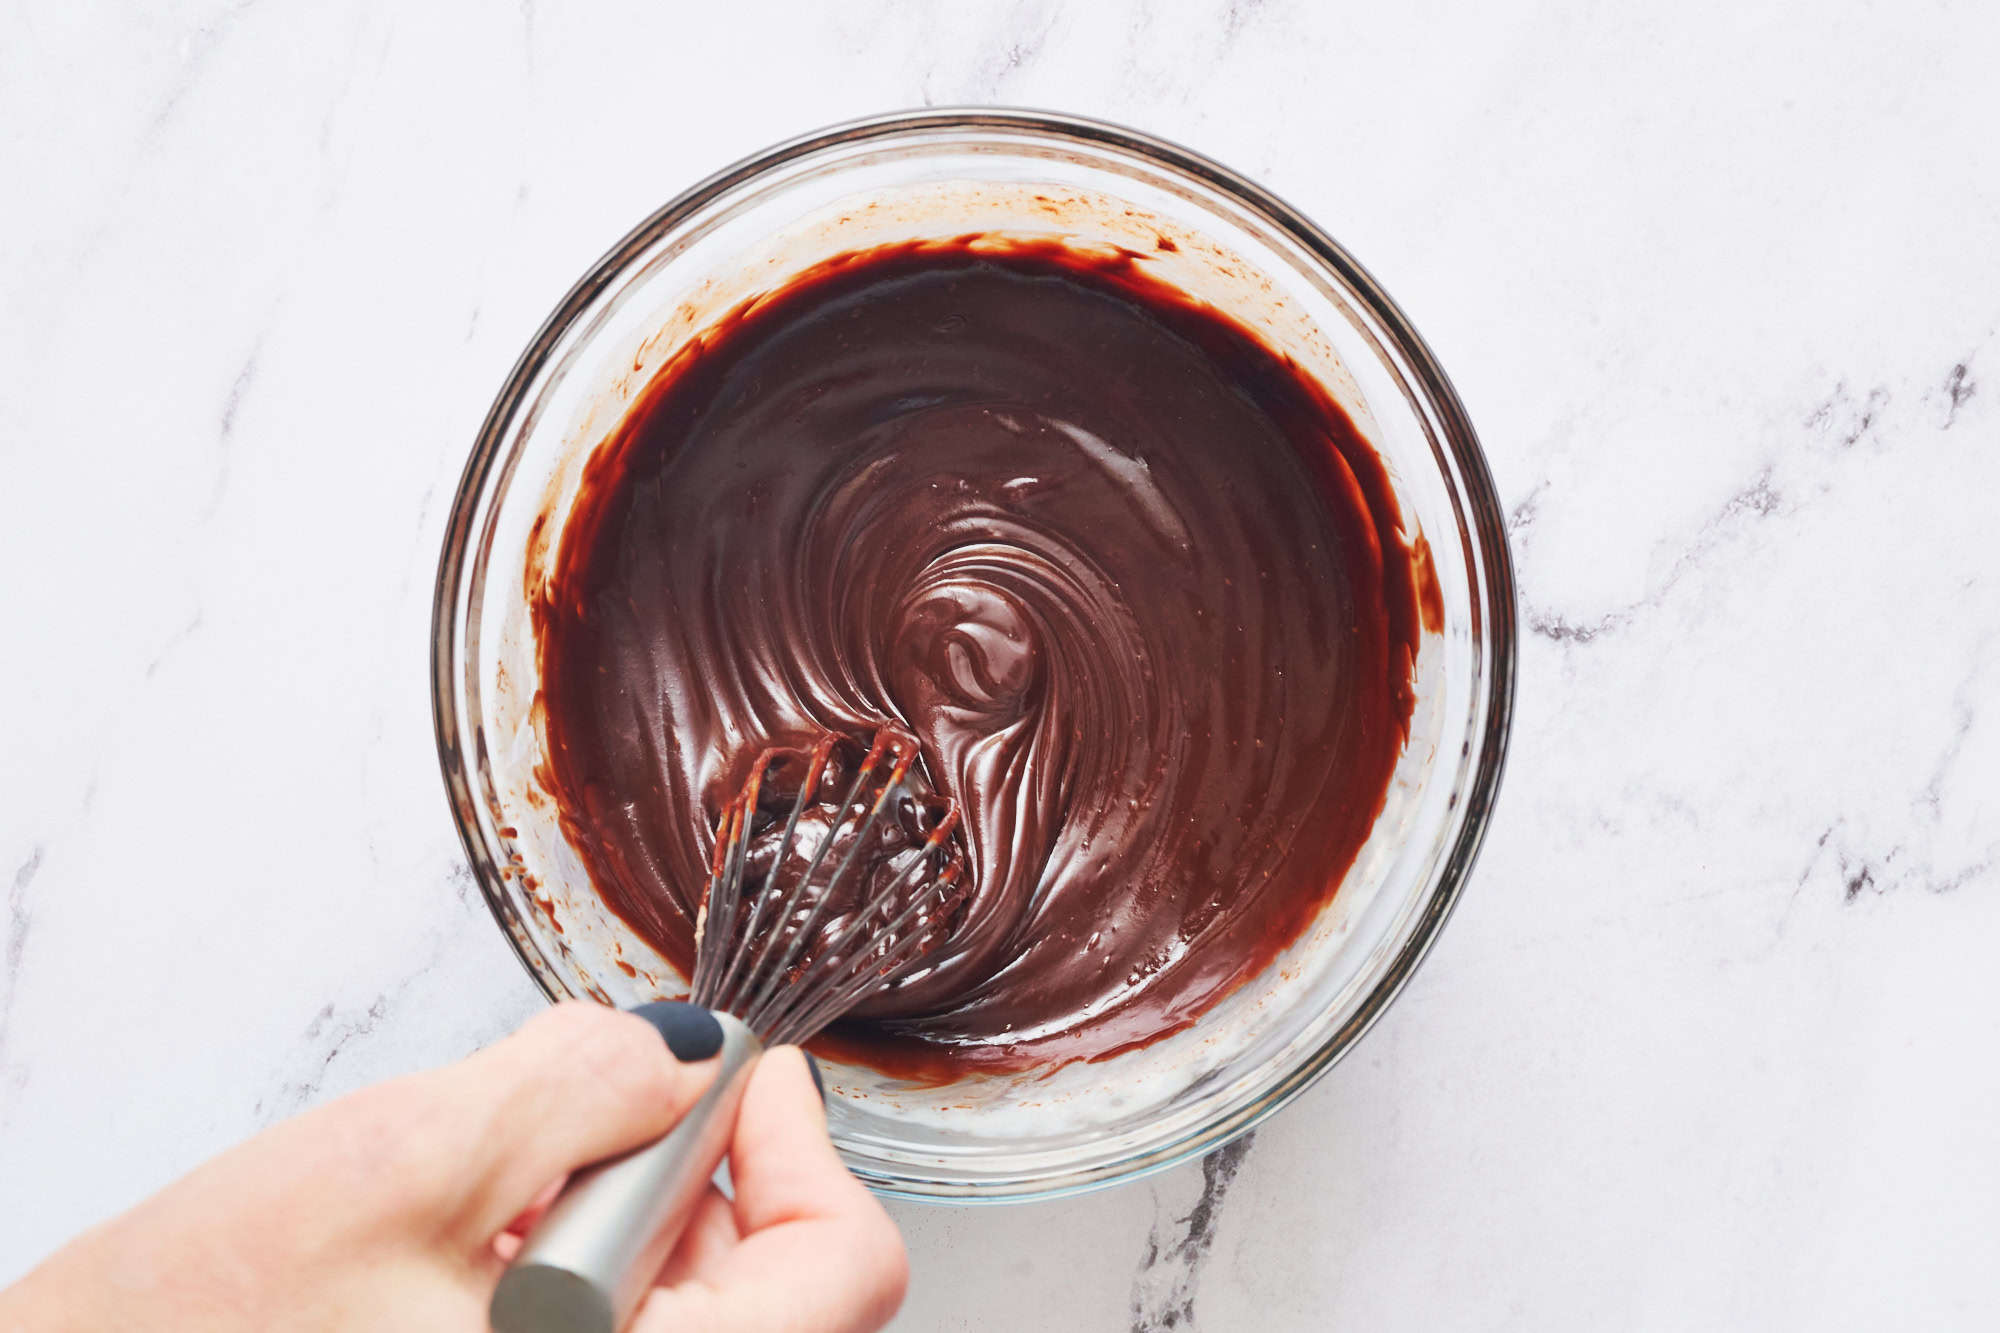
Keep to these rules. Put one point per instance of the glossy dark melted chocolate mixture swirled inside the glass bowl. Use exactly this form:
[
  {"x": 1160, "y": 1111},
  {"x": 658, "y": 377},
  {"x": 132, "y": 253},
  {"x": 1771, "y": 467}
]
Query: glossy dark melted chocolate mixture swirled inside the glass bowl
[{"x": 1135, "y": 581}]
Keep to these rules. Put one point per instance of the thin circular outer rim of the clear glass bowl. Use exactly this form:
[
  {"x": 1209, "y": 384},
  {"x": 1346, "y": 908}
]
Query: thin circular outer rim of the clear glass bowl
[{"x": 1427, "y": 377}]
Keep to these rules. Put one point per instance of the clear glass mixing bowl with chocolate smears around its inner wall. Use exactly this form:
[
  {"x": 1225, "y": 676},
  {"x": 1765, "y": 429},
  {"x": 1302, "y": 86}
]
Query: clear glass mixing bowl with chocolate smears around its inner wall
[{"x": 1209, "y": 231}]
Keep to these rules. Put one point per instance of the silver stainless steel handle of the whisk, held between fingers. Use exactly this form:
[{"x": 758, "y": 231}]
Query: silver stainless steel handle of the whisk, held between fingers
[{"x": 595, "y": 1254}]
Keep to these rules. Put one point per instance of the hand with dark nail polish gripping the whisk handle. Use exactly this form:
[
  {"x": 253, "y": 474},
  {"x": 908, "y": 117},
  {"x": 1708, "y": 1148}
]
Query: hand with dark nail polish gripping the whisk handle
[{"x": 399, "y": 1206}]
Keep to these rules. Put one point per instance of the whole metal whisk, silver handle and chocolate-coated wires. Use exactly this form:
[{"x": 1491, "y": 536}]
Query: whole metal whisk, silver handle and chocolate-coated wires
[{"x": 811, "y": 908}]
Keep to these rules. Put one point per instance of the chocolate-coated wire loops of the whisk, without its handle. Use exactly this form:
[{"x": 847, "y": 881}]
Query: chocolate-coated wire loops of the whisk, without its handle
[{"x": 833, "y": 878}]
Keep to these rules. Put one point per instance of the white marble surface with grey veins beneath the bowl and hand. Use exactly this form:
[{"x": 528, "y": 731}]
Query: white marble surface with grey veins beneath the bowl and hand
[{"x": 1715, "y": 1040}]
